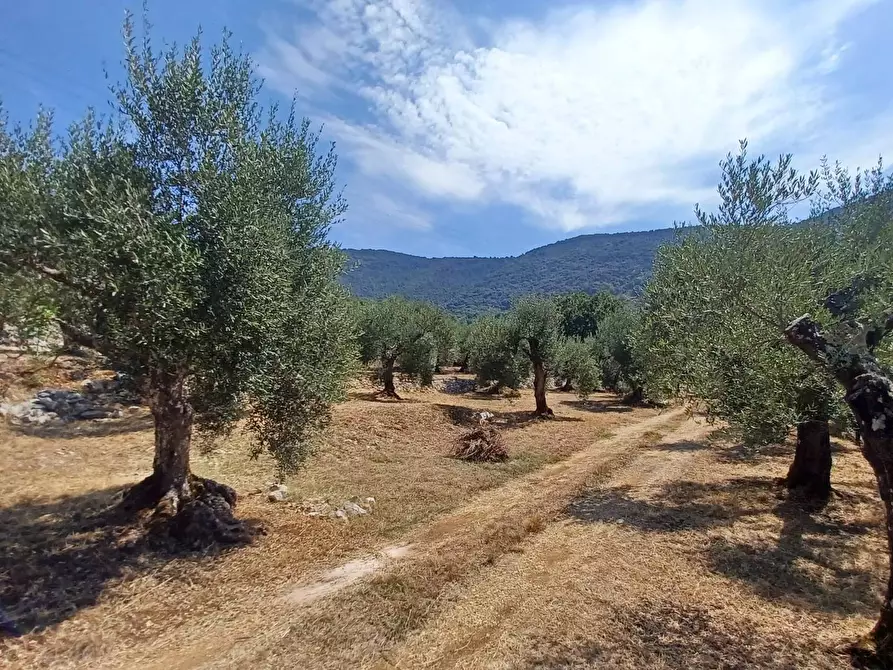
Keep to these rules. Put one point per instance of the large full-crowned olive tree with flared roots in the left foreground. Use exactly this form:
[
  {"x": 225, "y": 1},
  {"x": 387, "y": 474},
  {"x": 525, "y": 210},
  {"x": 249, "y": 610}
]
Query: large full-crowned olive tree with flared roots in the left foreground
[{"x": 186, "y": 240}]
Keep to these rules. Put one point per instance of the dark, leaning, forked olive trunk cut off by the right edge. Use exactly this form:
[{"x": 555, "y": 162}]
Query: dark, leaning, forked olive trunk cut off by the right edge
[{"x": 869, "y": 393}]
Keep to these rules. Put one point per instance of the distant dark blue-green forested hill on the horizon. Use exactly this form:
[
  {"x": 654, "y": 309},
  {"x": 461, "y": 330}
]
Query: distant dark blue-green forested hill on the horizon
[{"x": 619, "y": 262}]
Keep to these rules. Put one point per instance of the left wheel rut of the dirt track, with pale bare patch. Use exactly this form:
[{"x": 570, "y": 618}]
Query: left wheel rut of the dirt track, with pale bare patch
[{"x": 296, "y": 626}]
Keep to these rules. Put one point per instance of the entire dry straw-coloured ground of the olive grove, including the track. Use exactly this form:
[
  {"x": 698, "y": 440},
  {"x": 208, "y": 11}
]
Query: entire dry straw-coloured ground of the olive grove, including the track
[{"x": 612, "y": 537}]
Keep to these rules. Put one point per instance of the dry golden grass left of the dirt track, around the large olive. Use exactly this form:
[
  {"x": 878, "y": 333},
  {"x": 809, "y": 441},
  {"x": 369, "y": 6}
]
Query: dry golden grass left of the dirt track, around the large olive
[{"x": 90, "y": 603}]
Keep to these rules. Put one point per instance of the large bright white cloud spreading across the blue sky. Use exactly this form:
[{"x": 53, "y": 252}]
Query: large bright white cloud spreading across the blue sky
[{"x": 582, "y": 119}]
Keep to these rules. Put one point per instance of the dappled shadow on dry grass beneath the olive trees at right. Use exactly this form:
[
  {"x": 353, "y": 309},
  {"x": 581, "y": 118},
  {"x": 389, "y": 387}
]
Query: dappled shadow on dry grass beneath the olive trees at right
[{"x": 810, "y": 564}]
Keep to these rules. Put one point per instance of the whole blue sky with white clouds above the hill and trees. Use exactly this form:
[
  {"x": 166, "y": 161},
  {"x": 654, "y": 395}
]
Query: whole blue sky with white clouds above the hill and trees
[{"x": 488, "y": 127}]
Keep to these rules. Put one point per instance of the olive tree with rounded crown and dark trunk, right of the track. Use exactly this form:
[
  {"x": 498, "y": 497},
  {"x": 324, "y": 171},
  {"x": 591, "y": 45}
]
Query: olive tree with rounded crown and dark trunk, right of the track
[{"x": 719, "y": 300}]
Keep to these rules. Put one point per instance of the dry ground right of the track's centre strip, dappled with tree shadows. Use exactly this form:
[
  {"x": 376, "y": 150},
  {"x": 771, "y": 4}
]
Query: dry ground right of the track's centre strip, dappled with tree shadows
[{"x": 663, "y": 565}]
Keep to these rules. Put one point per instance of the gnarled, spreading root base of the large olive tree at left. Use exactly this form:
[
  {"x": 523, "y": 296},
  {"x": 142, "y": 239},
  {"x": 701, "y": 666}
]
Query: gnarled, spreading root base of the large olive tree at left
[{"x": 198, "y": 515}]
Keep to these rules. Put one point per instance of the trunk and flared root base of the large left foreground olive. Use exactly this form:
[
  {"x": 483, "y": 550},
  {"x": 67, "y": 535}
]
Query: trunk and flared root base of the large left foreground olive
[{"x": 193, "y": 510}]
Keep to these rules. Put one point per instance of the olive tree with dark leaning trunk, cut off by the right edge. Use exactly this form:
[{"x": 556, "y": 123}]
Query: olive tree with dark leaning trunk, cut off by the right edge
[{"x": 848, "y": 337}]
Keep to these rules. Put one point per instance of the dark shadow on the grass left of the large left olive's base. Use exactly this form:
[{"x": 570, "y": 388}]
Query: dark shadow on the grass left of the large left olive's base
[{"x": 58, "y": 557}]
